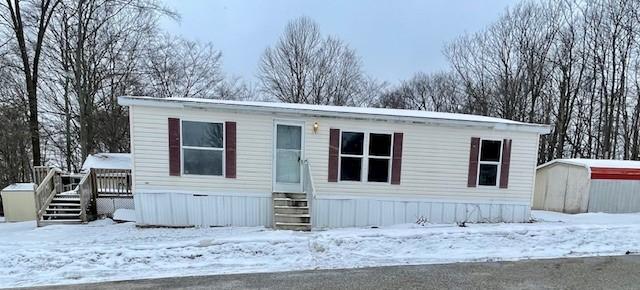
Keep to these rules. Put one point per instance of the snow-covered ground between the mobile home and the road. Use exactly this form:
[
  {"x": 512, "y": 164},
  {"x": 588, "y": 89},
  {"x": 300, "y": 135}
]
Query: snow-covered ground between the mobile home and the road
[{"x": 104, "y": 250}]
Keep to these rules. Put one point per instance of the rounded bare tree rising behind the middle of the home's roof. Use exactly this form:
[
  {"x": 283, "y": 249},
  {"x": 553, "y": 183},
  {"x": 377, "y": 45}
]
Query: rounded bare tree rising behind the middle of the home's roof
[{"x": 304, "y": 67}]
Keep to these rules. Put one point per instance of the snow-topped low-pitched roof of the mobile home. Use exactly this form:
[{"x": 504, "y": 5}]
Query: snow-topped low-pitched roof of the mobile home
[{"x": 337, "y": 111}]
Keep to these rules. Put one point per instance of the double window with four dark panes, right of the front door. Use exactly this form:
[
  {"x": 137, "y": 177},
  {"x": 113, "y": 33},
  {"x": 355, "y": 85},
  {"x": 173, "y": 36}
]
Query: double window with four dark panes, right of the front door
[{"x": 355, "y": 160}]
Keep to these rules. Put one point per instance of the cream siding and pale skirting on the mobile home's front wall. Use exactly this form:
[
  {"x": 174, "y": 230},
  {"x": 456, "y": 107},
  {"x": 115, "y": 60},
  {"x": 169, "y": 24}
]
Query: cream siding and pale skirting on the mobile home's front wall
[{"x": 433, "y": 179}]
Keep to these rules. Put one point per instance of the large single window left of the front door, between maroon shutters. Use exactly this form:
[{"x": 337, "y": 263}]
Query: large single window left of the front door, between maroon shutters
[{"x": 202, "y": 148}]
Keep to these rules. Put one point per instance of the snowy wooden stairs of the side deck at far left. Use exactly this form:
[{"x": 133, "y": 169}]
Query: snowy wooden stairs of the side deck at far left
[{"x": 65, "y": 208}]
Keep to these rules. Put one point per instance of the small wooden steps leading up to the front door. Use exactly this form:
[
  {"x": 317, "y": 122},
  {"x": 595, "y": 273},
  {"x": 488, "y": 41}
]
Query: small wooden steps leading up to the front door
[{"x": 291, "y": 211}]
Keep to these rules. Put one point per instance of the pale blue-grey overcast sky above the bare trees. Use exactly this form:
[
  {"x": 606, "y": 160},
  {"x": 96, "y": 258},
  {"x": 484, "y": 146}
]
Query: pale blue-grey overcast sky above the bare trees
[{"x": 393, "y": 38}]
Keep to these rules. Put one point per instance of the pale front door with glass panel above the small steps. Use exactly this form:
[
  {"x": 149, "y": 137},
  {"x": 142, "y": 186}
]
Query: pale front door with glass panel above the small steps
[{"x": 288, "y": 156}]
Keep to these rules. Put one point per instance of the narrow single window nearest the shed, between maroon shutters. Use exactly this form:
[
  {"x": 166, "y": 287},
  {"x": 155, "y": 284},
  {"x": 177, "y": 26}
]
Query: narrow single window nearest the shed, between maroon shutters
[{"x": 489, "y": 163}]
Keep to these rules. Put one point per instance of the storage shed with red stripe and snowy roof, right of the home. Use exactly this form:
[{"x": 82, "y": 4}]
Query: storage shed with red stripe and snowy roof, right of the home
[{"x": 588, "y": 185}]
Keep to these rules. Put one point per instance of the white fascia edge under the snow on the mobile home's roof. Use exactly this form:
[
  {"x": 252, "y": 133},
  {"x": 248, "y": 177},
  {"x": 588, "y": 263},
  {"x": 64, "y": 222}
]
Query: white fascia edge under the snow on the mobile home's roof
[{"x": 166, "y": 103}]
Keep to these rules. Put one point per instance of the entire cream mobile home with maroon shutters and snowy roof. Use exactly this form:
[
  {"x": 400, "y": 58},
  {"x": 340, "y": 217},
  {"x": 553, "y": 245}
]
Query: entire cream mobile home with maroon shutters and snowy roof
[{"x": 213, "y": 162}]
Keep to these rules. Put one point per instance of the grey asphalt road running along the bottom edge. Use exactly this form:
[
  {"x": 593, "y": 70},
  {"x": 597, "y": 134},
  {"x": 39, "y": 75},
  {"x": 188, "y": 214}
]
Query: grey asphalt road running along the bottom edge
[{"x": 622, "y": 272}]
